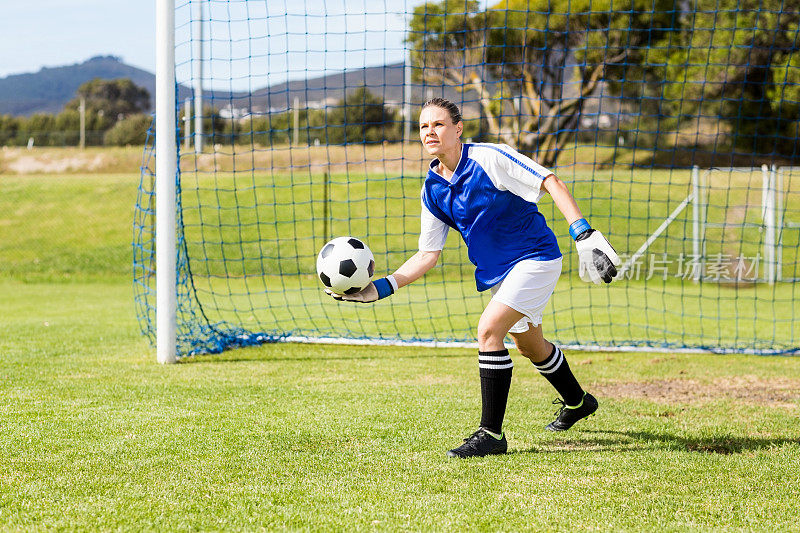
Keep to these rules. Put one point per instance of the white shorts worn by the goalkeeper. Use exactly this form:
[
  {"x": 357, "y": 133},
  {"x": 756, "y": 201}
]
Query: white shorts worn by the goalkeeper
[{"x": 527, "y": 289}]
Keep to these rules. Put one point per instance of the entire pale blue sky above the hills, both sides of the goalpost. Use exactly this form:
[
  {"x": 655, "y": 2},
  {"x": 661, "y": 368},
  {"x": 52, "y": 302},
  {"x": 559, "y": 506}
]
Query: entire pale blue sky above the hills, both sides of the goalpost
[{"x": 292, "y": 43}]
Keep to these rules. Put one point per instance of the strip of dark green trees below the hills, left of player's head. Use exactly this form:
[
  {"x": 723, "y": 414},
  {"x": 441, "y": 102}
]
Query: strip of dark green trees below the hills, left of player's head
[{"x": 115, "y": 116}]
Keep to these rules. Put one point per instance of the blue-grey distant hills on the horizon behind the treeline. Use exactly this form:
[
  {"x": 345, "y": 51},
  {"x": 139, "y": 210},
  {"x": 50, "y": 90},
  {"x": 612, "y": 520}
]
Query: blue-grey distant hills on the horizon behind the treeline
[{"x": 48, "y": 90}]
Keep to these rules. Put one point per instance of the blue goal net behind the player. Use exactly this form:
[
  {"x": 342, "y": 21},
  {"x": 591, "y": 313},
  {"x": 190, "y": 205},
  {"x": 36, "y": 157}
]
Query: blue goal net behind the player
[{"x": 675, "y": 127}]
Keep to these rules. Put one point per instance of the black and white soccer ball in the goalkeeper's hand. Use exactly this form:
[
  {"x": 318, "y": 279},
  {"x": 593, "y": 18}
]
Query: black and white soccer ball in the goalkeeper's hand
[{"x": 345, "y": 265}]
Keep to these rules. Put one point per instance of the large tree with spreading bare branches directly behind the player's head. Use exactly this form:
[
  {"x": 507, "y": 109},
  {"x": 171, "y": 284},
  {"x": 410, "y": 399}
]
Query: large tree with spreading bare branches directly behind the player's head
[{"x": 533, "y": 63}]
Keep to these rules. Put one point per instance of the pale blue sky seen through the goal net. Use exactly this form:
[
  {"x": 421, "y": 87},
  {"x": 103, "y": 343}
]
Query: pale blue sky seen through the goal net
[{"x": 254, "y": 43}]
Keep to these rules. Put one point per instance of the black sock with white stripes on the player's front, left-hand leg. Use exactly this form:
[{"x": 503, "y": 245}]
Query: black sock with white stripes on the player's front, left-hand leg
[{"x": 495, "y": 369}]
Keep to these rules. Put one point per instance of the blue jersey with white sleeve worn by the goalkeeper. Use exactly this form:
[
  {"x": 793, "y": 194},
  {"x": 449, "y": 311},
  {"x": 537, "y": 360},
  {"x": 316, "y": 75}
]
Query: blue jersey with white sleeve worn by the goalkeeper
[{"x": 491, "y": 200}]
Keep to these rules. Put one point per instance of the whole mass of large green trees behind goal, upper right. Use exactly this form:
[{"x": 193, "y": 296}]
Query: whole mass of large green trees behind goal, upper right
[{"x": 672, "y": 64}]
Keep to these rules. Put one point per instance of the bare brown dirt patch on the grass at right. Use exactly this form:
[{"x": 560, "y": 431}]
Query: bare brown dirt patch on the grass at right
[{"x": 776, "y": 392}]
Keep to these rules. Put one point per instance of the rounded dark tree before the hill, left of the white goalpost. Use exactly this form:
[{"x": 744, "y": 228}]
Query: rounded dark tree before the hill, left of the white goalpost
[{"x": 114, "y": 99}]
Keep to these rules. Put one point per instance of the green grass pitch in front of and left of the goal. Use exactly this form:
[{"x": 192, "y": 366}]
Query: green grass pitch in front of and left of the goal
[{"x": 97, "y": 436}]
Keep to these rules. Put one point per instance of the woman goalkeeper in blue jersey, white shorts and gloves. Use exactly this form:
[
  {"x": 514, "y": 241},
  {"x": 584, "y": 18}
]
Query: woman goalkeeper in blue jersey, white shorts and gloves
[{"x": 488, "y": 193}]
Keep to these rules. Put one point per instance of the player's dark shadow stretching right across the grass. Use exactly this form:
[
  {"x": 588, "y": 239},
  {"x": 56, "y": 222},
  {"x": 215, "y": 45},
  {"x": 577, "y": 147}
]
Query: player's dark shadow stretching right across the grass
[{"x": 610, "y": 440}]
